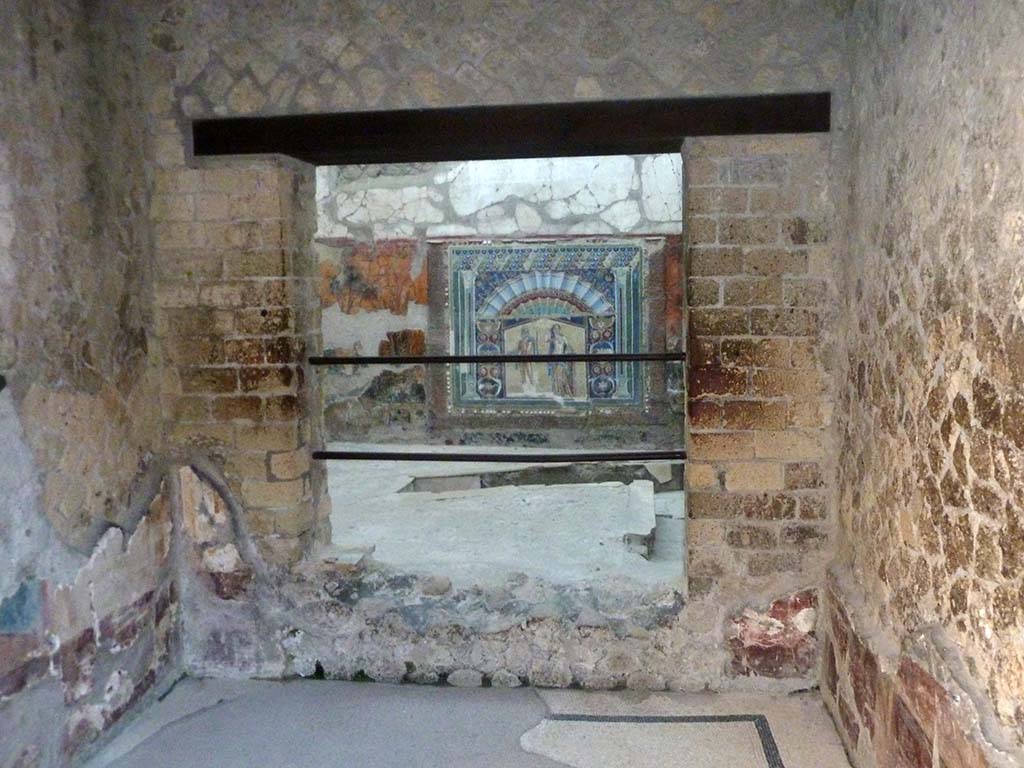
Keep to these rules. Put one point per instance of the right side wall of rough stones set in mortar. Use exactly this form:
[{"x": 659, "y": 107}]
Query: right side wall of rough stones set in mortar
[{"x": 931, "y": 414}]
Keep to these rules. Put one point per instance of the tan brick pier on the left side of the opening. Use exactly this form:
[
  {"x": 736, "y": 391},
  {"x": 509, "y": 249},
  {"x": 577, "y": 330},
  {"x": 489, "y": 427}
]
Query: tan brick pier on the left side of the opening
[{"x": 237, "y": 316}]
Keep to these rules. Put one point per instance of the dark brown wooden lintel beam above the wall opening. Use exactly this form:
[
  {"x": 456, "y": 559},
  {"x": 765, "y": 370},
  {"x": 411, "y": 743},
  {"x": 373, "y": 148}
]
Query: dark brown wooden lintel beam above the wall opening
[{"x": 575, "y": 130}]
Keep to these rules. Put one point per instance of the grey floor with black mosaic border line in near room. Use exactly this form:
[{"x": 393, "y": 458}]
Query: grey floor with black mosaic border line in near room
[{"x": 248, "y": 724}]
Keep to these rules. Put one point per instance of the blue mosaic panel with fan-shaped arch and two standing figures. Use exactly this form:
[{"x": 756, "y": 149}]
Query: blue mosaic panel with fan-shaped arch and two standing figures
[{"x": 547, "y": 298}]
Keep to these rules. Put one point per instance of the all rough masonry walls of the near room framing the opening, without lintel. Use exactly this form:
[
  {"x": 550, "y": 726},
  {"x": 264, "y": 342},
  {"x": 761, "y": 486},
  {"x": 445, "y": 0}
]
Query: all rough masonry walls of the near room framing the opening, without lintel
[{"x": 855, "y": 313}]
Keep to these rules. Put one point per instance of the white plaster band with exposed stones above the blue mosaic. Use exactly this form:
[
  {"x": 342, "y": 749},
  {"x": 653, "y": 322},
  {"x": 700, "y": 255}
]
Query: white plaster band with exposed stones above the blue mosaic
[{"x": 614, "y": 195}]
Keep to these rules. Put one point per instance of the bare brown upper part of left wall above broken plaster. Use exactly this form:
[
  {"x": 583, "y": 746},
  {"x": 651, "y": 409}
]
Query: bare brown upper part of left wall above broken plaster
[{"x": 74, "y": 274}]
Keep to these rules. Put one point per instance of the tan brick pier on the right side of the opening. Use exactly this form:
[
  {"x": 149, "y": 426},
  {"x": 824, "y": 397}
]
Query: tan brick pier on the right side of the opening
[{"x": 759, "y": 393}]
